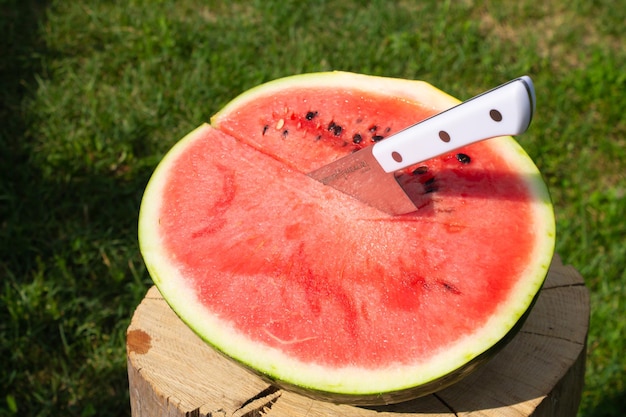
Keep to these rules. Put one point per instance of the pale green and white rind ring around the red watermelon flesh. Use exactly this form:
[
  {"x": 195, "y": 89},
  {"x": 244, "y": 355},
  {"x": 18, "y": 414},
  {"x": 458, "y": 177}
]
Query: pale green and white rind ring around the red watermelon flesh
[{"x": 351, "y": 384}]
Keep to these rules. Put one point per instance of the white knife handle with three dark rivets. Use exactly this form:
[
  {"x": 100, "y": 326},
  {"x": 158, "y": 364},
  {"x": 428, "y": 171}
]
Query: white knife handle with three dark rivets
[{"x": 504, "y": 110}]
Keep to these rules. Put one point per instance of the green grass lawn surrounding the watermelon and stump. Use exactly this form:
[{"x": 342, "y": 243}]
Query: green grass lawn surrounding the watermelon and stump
[{"x": 94, "y": 92}]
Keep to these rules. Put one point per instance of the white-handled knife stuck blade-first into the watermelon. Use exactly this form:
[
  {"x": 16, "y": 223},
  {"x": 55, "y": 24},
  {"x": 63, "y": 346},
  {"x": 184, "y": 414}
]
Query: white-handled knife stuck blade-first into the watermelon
[{"x": 368, "y": 174}]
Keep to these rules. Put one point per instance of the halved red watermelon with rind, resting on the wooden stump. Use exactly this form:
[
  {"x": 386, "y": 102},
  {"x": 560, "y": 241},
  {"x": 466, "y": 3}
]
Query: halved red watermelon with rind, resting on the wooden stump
[{"x": 319, "y": 292}]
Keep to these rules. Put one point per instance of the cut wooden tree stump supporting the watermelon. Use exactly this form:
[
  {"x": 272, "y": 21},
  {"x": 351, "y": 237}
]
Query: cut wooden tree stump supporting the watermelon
[{"x": 172, "y": 372}]
